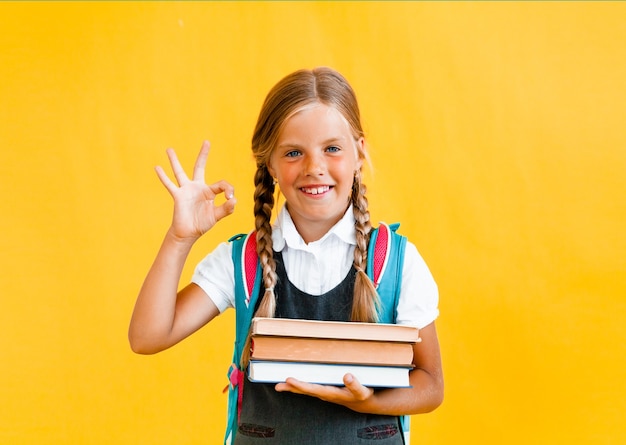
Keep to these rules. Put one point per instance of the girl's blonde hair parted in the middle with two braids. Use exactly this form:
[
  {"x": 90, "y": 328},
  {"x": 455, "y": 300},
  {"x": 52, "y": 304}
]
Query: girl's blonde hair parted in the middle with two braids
[{"x": 295, "y": 91}]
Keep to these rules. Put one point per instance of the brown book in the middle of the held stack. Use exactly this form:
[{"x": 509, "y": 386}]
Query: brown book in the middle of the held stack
[{"x": 370, "y": 352}]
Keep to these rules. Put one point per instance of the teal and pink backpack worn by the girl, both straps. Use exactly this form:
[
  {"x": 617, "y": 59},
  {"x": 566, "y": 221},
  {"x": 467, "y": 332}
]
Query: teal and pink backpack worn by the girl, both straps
[{"x": 385, "y": 258}]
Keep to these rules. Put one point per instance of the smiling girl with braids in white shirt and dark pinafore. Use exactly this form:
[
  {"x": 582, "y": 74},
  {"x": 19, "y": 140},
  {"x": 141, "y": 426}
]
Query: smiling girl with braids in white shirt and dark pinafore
[{"x": 309, "y": 142}]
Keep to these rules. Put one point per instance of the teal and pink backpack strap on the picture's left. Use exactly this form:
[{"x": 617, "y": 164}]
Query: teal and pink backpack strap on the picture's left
[{"x": 247, "y": 283}]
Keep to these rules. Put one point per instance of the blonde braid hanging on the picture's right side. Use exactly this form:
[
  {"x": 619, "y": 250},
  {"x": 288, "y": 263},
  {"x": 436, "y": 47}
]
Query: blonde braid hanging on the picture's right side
[{"x": 366, "y": 302}]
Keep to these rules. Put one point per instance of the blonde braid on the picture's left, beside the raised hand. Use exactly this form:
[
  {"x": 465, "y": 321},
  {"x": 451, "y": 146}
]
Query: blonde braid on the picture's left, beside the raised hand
[{"x": 263, "y": 205}]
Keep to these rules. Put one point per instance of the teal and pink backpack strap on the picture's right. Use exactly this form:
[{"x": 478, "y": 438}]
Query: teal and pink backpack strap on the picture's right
[{"x": 385, "y": 260}]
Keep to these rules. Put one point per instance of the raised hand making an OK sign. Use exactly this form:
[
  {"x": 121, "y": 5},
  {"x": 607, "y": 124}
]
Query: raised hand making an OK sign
[{"x": 195, "y": 211}]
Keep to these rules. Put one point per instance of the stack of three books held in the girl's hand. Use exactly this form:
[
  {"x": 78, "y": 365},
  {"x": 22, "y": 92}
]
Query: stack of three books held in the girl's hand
[{"x": 377, "y": 354}]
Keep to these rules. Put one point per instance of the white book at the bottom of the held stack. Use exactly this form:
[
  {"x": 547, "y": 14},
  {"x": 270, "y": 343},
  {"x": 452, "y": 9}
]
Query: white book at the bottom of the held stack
[{"x": 329, "y": 374}]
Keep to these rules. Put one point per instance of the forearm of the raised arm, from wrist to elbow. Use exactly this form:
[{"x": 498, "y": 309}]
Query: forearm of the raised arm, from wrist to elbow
[{"x": 153, "y": 318}]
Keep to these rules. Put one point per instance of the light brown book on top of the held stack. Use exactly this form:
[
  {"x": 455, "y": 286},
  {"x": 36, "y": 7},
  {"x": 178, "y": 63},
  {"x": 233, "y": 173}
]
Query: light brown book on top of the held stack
[{"x": 287, "y": 327}]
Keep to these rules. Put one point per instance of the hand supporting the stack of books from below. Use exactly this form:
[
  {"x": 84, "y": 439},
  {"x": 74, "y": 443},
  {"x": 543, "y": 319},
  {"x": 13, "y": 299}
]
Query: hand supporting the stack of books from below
[{"x": 351, "y": 395}]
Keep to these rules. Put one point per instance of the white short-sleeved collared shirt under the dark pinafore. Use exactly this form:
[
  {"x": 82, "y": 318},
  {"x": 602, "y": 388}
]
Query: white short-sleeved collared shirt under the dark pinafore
[{"x": 326, "y": 263}]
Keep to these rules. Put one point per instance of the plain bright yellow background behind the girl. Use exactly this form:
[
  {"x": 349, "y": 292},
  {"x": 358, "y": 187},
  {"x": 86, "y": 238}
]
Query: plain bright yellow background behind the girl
[{"x": 498, "y": 141}]
